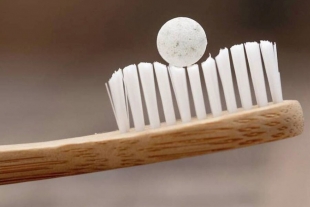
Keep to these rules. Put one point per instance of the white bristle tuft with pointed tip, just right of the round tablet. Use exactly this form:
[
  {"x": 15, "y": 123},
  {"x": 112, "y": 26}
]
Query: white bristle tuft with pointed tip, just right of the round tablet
[{"x": 211, "y": 80}]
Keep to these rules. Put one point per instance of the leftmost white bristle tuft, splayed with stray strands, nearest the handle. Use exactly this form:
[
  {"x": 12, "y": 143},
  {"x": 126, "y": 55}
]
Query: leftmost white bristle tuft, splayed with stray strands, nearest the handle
[{"x": 117, "y": 98}]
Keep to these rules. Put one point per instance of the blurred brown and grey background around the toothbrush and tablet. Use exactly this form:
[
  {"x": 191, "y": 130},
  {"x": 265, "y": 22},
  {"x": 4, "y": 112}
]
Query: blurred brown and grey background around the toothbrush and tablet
[{"x": 55, "y": 57}]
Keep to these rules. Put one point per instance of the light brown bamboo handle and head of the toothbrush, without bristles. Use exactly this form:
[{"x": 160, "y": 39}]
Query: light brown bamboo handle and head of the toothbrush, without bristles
[{"x": 36, "y": 161}]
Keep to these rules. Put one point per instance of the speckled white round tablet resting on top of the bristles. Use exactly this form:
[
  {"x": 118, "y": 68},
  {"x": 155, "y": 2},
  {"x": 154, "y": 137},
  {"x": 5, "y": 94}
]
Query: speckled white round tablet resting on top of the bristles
[{"x": 181, "y": 41}]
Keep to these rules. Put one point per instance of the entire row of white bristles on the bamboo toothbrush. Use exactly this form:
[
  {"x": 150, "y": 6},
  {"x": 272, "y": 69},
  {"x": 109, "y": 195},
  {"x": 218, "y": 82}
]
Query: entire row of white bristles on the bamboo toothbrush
[{"x": 124, "y": 86}]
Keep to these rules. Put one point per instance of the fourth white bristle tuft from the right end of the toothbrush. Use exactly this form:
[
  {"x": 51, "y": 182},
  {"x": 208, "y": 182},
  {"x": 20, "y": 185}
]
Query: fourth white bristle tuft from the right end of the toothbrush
[{"x": 223, "y": 64}]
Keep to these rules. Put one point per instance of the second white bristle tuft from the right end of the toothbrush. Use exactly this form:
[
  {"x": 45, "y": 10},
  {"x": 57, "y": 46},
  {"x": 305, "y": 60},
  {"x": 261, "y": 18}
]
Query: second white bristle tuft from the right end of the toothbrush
[{"x": 257, "y": 74}]
